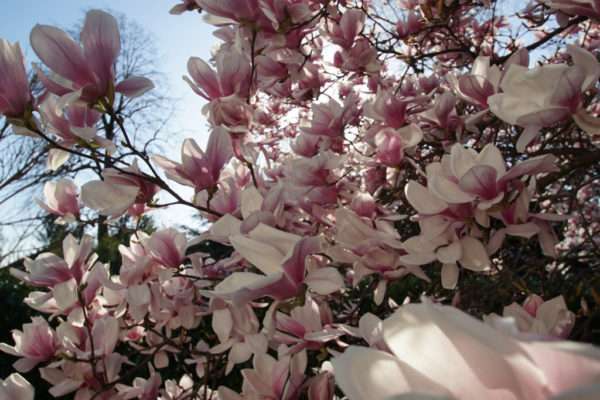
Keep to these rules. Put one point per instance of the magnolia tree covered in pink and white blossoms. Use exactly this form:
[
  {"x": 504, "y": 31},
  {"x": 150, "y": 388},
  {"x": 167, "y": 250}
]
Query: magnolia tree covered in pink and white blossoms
[{"x": 405, "y": 196}]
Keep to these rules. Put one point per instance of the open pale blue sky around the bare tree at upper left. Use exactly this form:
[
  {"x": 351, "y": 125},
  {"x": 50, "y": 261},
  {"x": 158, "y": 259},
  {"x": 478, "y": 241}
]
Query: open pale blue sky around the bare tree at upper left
[{"x": 176, "y": 38}]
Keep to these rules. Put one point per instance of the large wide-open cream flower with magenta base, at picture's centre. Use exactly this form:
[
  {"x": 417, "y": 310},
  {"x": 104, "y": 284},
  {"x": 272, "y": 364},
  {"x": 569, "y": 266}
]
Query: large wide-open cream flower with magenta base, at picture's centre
[{"x": 281, "y": 257}]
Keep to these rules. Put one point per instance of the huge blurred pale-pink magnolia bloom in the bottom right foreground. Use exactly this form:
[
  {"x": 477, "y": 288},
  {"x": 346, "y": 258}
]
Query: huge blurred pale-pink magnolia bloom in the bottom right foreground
[{"x": 441, "y": 351}]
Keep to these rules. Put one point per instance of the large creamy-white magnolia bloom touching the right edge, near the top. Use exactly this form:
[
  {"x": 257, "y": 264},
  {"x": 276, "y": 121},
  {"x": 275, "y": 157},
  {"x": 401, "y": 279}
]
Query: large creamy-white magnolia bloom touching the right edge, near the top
[{"x": 542, "y": 96}]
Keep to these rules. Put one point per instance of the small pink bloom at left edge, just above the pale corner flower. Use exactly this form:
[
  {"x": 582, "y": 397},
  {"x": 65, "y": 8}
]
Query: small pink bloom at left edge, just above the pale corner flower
[{"x": 36, "y": 343}]
